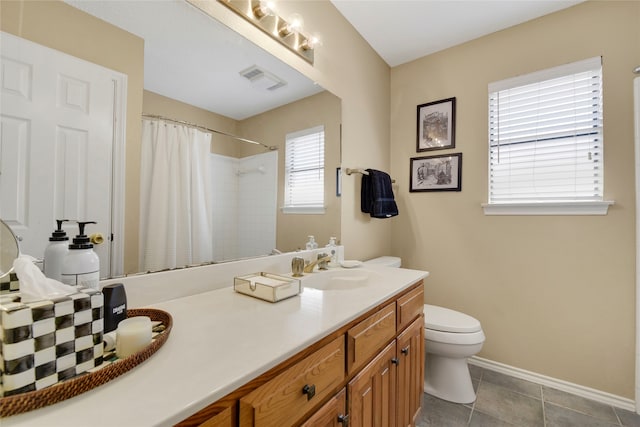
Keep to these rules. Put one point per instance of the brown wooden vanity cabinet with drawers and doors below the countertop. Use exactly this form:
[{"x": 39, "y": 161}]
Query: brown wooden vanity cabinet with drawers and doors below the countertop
[{"x": 368, "y": 373}]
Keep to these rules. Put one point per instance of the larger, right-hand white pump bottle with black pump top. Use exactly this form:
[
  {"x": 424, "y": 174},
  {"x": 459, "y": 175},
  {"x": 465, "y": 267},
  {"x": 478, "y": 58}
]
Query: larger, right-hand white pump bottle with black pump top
[{"x": 81, "y": 266}]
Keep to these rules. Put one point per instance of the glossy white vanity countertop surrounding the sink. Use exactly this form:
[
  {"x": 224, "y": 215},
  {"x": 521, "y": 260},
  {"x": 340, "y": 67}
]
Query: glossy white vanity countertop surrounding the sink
[{"x": 220, "y": 340}]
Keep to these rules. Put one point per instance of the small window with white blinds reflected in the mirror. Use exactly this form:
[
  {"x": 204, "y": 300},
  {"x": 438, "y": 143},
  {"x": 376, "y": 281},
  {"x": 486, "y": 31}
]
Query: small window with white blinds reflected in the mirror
[{"x": 304, "y": 172}]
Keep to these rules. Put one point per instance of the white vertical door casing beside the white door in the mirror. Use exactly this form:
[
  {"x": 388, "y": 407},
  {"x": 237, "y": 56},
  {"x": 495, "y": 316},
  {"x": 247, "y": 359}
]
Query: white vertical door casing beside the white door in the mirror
[{"x": 118, "y": 173}]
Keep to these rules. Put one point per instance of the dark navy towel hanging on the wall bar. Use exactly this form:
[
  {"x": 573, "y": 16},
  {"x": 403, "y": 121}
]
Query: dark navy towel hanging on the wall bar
[{"x": 377, "y": 195}]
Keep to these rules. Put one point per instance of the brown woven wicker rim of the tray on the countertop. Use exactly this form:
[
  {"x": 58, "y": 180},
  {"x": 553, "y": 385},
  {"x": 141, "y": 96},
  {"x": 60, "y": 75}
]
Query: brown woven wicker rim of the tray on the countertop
[{"x": 12, "y": 405}]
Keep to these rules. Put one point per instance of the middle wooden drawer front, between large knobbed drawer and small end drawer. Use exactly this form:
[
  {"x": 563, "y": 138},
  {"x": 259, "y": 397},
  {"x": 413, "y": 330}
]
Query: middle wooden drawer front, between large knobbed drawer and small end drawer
[{"x": 367, "y": 338}]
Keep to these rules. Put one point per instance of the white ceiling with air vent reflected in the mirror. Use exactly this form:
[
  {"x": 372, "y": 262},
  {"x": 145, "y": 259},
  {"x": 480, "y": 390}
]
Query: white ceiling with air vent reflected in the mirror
[{"x": 195, "y": 59}]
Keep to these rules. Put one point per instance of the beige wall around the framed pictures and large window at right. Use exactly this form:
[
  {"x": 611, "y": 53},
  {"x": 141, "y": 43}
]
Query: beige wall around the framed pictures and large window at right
[{"x": 555, "y": 294}]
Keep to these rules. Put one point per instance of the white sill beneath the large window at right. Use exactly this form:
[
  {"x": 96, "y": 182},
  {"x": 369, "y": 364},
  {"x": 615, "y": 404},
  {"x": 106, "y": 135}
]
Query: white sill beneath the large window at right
[{"x": 548, "y": 208}]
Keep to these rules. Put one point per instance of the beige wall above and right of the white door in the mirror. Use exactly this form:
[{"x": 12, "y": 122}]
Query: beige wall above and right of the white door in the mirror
[{"x": 59, "y": 26}]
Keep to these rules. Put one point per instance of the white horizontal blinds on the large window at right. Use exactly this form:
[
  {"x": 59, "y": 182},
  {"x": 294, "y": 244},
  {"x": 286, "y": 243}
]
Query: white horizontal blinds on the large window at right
[{"x": 545, "y": 135}]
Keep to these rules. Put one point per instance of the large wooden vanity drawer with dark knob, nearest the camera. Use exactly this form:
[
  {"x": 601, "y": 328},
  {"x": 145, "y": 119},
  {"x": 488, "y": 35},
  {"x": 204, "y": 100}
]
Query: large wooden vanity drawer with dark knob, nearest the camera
[{"x": 285, "y": 399}]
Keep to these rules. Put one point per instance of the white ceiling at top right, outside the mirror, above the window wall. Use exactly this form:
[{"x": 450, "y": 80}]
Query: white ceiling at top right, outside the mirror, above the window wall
[{"x": 403, "y": 30}]
